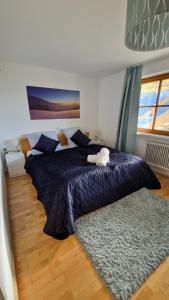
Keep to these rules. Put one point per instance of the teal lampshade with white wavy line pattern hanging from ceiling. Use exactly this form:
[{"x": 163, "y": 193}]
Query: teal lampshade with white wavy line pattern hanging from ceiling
[{"x": 147, "y": 25}]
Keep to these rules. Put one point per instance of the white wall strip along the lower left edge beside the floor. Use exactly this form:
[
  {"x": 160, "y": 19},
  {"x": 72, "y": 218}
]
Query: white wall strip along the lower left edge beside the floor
[{"x": 7, "y": 269}]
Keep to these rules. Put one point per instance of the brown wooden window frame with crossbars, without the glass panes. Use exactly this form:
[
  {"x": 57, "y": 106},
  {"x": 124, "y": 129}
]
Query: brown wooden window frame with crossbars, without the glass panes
[{"x": 153, "y": 130}]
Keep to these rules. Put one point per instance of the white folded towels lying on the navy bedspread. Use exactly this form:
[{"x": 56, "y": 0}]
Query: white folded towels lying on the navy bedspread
[{"x": 100, "y": 159}]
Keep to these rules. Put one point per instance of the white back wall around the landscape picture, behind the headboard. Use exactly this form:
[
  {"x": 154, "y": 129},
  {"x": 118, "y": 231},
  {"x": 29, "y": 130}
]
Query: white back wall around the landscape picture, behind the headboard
[{"x": 14, "y": 112}]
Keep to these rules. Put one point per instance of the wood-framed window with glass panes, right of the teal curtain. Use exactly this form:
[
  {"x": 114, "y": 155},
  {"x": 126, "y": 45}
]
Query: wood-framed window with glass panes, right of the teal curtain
[{"x": 154, "y": 105}]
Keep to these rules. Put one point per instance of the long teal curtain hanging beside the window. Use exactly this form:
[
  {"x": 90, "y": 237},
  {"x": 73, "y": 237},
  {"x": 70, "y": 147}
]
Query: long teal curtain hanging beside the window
[{"x": 127, "y": 126}]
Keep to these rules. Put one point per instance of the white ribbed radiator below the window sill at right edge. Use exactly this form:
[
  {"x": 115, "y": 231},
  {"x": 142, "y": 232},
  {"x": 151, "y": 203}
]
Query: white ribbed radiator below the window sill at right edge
[{"x": 157, "y": 155}]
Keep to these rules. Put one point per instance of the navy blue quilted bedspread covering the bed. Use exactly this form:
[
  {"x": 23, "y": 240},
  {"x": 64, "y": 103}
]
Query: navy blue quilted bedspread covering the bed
[{"x": 68, "y": 186}]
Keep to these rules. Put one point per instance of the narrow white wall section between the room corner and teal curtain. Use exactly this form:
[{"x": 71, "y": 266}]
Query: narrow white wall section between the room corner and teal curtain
[{"x": 109, "y": 106}]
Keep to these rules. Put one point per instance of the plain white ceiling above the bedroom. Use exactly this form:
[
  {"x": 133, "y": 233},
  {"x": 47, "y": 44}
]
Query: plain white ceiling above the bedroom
[{"x": 80, "y": 36}]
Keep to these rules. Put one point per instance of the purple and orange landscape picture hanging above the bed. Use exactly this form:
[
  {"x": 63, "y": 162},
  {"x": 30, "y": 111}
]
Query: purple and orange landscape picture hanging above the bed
[{"x": 50, "y": 103}]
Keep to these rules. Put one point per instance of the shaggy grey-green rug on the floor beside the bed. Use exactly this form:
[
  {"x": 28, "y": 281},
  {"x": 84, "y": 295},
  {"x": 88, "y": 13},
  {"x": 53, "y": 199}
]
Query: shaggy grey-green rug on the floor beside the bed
[{"x": 127, "y": 240}]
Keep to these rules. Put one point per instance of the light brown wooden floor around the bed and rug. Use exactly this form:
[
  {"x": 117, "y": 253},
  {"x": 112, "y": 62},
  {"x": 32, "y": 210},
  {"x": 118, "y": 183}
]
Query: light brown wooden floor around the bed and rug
[{"x": 48, "y": 269}]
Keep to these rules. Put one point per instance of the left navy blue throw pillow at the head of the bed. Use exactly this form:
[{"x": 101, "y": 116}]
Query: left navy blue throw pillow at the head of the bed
[{"x": 46, "y": 144}]
